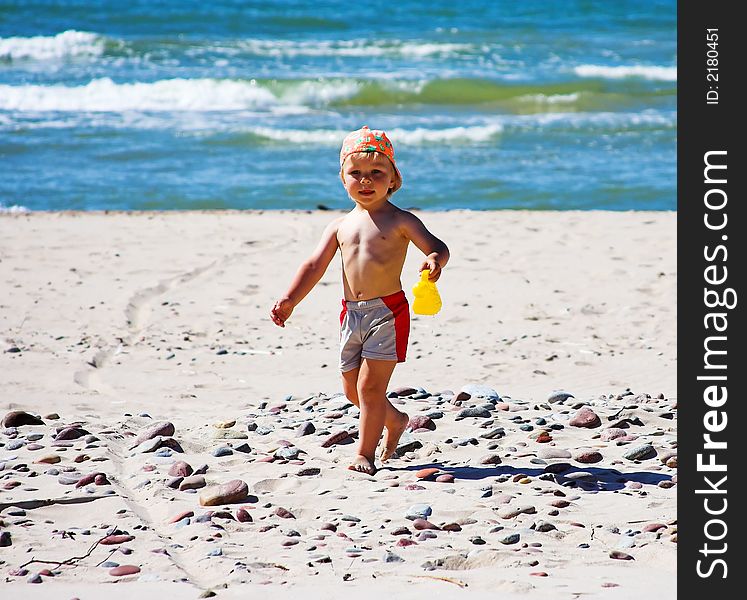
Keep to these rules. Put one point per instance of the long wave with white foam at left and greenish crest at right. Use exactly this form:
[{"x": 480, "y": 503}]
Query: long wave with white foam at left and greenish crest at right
[{"x": 203, "y": 95}]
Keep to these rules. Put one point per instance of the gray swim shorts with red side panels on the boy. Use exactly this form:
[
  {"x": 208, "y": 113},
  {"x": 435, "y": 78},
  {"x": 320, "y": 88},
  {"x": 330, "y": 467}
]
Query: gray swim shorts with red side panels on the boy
[{"x": 376, "y": 329}]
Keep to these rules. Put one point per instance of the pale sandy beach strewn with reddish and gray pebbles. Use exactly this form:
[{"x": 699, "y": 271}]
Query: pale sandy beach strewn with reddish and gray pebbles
[{"x": 138, "y": 348}]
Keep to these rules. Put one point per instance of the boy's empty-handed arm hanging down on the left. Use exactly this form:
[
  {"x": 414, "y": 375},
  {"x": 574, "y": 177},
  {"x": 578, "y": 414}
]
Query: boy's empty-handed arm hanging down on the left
[{"x": 308, "y": 274}]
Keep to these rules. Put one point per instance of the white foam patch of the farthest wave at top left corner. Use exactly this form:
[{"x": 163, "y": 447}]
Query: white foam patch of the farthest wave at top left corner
[{"x": 65, "y": 44}]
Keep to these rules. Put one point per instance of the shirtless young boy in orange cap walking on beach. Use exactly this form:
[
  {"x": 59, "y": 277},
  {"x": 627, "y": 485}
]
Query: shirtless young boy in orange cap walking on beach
[{"x": 375, "y": 319}]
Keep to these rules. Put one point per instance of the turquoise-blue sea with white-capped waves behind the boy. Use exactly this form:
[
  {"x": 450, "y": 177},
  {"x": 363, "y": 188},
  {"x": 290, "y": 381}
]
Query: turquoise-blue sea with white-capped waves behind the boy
[{"x": 156, "y": 104}]
